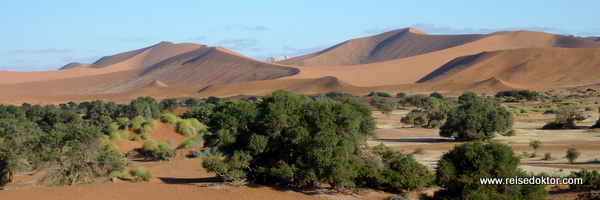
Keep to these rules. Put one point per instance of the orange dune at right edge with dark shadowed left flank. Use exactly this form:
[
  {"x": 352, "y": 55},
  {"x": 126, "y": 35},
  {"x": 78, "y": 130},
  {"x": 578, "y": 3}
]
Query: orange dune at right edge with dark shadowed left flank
[{"x": 544, "y": 67}]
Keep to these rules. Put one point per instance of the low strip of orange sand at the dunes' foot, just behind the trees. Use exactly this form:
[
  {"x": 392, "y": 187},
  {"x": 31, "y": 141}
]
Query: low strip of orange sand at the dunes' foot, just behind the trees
[{"x": 323, "y": 85}]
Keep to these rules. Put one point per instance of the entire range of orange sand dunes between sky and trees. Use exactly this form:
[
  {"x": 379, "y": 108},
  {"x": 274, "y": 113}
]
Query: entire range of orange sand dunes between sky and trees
[{"x": 399, "y": 60}]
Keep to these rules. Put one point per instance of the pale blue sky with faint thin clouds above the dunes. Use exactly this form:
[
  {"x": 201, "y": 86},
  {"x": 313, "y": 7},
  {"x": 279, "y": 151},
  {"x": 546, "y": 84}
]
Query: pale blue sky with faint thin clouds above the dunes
[{"x": 38, "y": 35}]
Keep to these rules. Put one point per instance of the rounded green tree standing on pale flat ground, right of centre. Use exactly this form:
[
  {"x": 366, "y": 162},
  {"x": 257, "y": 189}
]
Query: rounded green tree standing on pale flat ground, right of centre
[{"x": 477, "y": 119}]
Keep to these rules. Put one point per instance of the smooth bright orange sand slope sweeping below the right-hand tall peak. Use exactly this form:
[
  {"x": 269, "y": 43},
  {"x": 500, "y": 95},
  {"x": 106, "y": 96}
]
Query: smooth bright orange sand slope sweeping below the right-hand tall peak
[{"x": 412, "y": 69}]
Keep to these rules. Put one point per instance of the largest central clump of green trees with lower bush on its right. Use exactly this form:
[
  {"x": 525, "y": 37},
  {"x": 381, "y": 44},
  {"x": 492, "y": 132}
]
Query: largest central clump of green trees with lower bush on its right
[{"x": 300, "y": 141}]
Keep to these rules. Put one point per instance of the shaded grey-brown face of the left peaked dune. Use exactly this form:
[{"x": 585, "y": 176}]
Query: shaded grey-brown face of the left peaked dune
[{"x": 206, "y": 66}]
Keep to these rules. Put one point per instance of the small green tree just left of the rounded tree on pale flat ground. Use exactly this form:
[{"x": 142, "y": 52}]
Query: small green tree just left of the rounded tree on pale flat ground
[{"x": 432, "y": 114}]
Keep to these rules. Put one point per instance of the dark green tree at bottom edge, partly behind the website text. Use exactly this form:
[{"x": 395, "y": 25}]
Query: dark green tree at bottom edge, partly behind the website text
[{"x": 459, "y": 172}]
